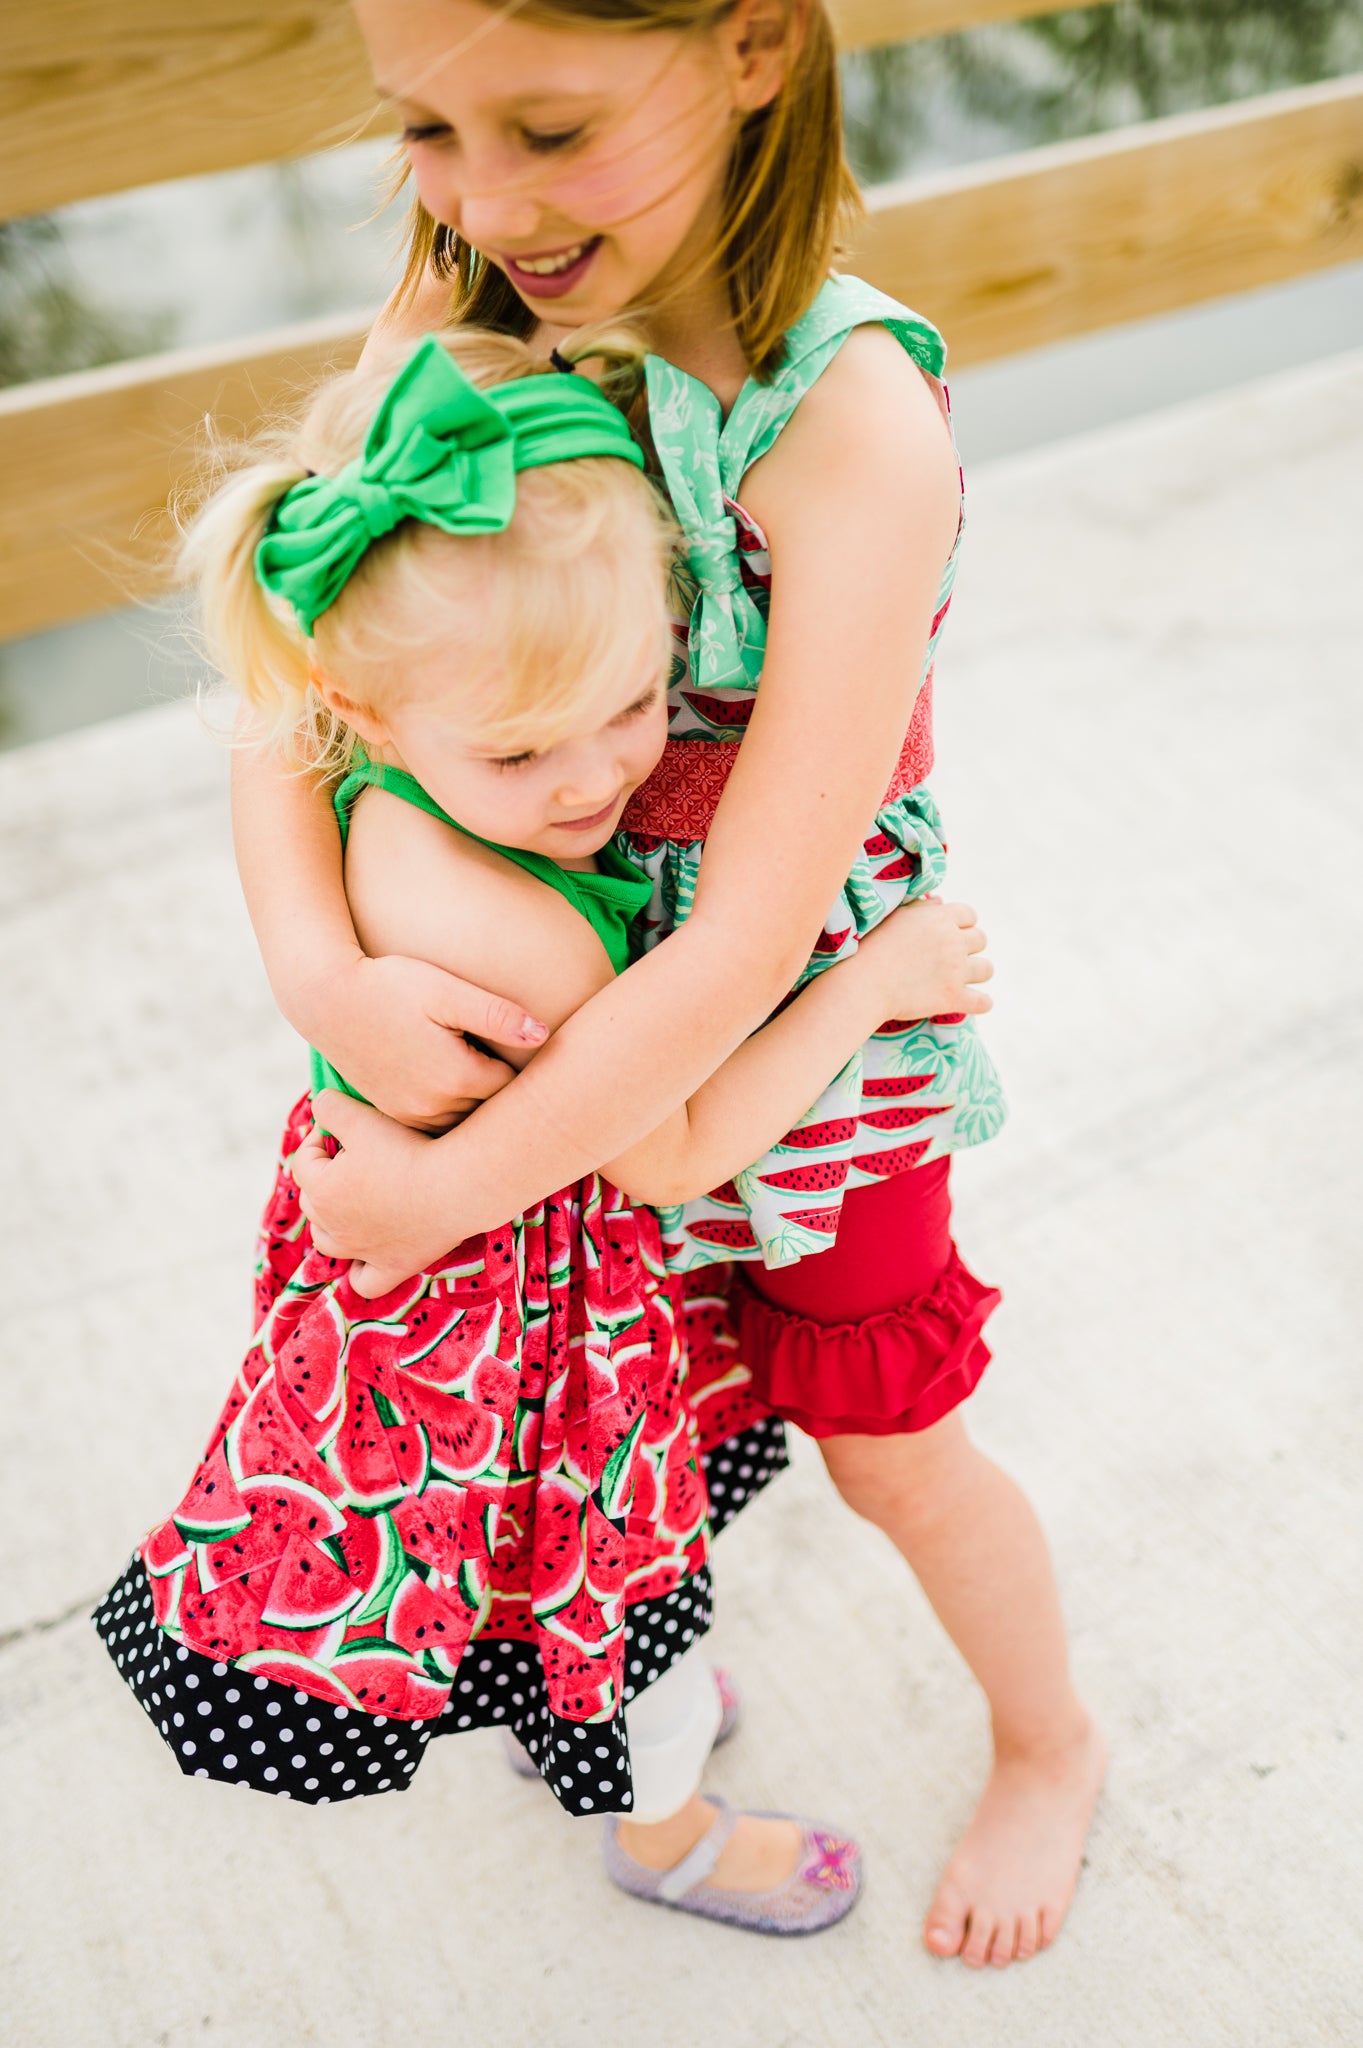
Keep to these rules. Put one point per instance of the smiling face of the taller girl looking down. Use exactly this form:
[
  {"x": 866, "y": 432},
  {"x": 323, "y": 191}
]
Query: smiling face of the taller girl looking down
[{"x": 586, "y": 163}]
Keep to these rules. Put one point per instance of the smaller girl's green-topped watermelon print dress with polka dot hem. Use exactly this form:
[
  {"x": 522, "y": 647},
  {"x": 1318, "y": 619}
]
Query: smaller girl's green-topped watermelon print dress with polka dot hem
[{"x": 486, "y": 1498}]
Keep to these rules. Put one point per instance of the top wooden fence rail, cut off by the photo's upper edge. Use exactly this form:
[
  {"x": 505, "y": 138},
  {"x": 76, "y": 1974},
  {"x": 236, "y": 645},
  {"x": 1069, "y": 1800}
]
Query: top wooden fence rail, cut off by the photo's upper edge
[{"x": 142, "y": 91}]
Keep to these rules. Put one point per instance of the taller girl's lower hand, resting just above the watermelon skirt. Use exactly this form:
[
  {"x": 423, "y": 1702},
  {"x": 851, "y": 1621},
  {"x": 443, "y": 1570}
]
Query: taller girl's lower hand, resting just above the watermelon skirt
[{"x": 365, "y": 1203}]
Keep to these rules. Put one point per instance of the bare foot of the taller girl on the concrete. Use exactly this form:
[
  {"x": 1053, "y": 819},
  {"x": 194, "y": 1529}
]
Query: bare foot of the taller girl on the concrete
[{"x": 1010, "y": 1885}]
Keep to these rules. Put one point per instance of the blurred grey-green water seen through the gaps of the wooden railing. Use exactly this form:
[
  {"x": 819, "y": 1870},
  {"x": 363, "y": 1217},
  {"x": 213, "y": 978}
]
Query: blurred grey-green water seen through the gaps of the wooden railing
[{"x": 240, "y": 253}]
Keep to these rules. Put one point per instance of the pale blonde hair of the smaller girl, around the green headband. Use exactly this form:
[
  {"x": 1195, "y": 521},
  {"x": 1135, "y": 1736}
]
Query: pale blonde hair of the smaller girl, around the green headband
[{"x": 537, "y": 628}]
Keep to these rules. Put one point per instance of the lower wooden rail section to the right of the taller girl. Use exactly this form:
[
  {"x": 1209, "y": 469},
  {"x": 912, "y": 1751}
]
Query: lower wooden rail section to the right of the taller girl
[{"x": 1055, "y": 243}]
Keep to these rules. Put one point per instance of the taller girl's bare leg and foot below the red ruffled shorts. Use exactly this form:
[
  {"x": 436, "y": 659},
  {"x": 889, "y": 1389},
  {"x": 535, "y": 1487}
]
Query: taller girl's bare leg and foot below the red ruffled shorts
[{"x": 981, "y": 1558}]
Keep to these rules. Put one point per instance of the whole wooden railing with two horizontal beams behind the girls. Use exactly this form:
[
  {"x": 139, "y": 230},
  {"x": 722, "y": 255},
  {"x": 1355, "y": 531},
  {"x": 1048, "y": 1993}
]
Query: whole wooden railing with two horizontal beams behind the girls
[{"x": 1004, "y": 257}]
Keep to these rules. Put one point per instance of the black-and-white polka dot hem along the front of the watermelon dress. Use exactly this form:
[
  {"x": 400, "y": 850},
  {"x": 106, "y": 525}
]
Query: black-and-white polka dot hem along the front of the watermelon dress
[{"x": 257, "y": 1732}]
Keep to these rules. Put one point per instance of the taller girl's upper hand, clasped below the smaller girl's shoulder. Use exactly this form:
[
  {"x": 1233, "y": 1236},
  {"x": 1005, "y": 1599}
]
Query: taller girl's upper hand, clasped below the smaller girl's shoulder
[{"x": 400, "y": 1033}]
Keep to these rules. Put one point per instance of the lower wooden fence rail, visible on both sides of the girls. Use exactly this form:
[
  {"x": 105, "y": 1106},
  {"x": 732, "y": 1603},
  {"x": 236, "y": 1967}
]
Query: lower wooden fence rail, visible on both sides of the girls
[{"x": 1004, "y": 257}]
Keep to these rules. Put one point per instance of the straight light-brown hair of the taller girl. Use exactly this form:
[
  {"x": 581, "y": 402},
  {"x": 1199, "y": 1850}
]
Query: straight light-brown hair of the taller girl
[{"x": 789, "y": 194}]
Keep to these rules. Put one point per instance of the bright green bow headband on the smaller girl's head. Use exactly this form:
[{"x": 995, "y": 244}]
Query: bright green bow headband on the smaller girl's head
[{"x": 441, "y": 452}]
